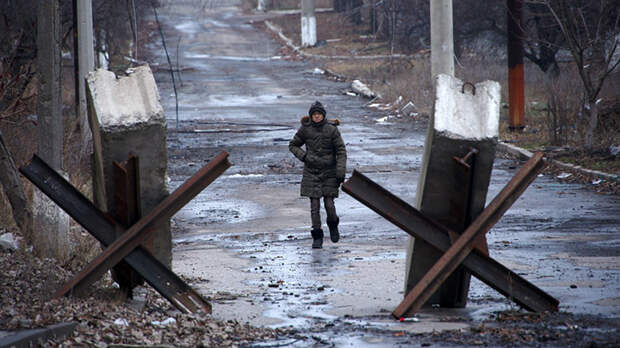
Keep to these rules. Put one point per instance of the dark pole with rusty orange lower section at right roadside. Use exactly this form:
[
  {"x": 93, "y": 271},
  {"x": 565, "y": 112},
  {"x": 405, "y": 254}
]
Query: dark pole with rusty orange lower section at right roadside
[{"x": 516, "y": 94}]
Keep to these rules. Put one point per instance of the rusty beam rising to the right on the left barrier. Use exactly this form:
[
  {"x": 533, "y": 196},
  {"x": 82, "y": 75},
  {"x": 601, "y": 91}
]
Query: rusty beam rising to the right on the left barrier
[{"x": 135, "y": 235}]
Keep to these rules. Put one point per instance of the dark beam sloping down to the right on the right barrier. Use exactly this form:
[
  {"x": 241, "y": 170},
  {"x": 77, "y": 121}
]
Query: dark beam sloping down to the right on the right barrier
[{"x": 416, "y": 224}]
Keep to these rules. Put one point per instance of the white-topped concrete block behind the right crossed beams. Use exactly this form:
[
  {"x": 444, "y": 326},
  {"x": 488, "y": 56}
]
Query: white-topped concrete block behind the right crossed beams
[{"x": 463, "y": 117}]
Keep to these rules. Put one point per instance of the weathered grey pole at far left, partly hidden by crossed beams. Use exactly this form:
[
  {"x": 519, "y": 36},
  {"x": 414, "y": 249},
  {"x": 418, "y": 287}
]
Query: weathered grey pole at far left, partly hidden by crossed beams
[{"x": 51, "y": 226}]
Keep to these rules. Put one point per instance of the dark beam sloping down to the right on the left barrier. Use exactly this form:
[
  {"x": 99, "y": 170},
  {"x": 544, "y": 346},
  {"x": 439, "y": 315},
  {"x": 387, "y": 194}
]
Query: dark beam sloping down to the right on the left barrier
[{"x": 103, "y": 228}]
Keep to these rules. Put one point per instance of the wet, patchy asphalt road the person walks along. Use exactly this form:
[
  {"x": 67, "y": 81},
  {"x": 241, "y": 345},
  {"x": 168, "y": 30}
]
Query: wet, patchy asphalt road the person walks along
[{"x": 244, "y": 242}]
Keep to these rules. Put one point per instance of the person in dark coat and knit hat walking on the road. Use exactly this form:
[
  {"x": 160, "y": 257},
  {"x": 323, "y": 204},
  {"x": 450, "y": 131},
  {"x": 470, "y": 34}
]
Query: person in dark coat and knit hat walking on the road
[{"x": 325, "y": 161}]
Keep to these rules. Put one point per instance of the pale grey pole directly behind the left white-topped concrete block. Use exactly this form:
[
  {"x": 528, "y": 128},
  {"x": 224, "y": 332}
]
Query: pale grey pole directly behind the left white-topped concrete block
[{"x": 86, "y": 63}]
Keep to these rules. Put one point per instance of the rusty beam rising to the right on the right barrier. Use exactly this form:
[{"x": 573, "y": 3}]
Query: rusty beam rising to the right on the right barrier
[{"x": 458, "y": 251}]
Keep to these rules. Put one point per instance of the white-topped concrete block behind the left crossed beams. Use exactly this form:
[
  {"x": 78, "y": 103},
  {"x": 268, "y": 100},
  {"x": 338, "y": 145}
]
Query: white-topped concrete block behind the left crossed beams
[{"x": 126, "y": 116}]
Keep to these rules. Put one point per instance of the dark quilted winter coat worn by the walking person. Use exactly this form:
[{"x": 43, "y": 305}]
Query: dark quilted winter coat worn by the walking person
[{"x": 325, "y": 158}]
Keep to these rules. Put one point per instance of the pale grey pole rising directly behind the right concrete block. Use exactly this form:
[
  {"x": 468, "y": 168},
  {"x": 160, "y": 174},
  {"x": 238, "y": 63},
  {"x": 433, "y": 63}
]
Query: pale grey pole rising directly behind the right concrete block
[{"x": 442, "y": 43}]
